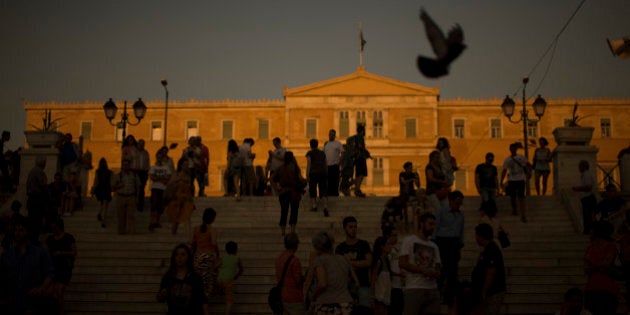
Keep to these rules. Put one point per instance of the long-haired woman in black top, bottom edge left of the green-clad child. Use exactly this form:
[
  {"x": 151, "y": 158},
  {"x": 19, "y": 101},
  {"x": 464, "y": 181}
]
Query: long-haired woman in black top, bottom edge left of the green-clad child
[{"x": 181, "y": 288}]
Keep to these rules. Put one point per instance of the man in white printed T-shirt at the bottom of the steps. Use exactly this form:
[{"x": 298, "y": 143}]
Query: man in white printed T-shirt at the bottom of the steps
[{"x": 420, "y": 263}]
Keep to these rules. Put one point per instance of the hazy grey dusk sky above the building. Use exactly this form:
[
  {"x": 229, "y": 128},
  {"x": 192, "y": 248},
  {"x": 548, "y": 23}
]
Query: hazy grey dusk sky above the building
[{"x": 58, "y": 50}]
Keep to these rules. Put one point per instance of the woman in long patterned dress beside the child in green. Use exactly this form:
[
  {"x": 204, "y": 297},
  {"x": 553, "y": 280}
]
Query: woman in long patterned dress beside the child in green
[{"x": 206, "y": 252}]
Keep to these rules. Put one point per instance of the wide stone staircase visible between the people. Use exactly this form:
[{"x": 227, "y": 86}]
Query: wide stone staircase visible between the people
[{"x": 121, "y": 274}]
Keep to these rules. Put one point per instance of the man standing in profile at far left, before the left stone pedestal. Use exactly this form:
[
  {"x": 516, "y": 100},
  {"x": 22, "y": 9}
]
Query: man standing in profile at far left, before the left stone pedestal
[{"x": 37, "y": 201}]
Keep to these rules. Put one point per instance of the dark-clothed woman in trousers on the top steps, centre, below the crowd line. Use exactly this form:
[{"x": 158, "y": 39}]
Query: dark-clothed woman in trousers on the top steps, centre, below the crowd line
[{"x": 290, "y": 186}]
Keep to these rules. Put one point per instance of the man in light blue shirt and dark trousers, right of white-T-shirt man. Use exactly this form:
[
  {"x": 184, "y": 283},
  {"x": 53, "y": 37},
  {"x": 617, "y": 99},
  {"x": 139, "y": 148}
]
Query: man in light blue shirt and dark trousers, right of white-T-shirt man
[{"x": 449, "y": 237}]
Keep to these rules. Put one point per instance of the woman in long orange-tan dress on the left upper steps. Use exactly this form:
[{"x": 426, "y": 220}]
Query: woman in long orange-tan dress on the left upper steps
[{"x": 181, "y": 205}]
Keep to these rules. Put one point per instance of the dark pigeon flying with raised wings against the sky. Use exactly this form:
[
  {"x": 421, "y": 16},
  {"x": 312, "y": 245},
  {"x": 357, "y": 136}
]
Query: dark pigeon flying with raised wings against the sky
[{"x": 446, "y": 49}]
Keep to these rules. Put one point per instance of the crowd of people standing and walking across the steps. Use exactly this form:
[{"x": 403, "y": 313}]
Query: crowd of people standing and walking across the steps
[{"x": 412, "y": 268}]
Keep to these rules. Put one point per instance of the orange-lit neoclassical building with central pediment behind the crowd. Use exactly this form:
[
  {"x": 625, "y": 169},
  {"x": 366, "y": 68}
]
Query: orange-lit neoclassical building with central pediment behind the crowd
[{"x": 403, "y": 121}]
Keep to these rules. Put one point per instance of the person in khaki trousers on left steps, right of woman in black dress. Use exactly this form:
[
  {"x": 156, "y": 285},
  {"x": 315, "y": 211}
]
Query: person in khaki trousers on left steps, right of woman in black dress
[{"x": 126, "y": 185}]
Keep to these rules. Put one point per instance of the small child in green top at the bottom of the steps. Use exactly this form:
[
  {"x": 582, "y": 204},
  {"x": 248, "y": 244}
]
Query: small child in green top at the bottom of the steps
[{"x": 231, "y": 268}]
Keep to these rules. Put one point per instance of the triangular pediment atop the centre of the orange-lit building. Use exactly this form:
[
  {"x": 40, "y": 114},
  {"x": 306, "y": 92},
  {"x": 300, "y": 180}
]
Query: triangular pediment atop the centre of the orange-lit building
[{"x": 363, "y": 83}]
